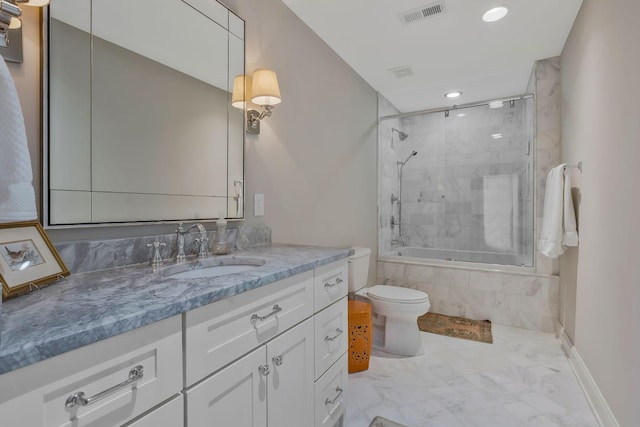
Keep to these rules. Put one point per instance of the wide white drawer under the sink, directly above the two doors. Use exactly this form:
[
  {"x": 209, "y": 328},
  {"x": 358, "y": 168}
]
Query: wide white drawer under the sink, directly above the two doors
[{"x": 221, "y": 332}]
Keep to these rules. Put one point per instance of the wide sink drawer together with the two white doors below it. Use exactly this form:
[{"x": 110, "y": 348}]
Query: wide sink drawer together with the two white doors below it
[{"x": 273, "y": 385}]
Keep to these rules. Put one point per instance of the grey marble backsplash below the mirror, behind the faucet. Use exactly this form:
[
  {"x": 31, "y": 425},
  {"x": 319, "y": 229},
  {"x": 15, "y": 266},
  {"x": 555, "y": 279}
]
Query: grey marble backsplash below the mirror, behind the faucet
[{"x": 86, "y": 256}]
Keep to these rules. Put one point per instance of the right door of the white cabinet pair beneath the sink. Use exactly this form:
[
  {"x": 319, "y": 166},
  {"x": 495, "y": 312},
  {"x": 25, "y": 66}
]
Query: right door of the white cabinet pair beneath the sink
[{"x": 291, "y": 388}]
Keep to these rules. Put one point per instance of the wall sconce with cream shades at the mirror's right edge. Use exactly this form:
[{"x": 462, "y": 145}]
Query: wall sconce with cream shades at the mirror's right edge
[{"x": 262, "y": 89}]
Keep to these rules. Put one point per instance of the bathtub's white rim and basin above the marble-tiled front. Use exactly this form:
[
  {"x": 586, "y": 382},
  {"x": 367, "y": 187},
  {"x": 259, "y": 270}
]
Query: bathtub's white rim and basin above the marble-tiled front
[{"x": 455, "y": 258}]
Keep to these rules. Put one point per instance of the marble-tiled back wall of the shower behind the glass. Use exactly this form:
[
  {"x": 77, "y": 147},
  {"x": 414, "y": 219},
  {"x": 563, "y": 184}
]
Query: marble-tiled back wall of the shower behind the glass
[{"x": 443, "y": 187}]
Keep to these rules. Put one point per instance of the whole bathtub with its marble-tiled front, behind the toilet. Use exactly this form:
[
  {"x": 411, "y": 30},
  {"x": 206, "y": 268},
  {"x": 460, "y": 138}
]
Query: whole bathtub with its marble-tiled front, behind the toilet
[{"x": 470, "y": 285}]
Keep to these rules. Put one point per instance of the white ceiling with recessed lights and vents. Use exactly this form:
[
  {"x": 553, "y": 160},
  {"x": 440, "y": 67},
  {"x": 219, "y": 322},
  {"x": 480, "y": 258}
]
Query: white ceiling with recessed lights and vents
[{"x": 454, "y": 50}]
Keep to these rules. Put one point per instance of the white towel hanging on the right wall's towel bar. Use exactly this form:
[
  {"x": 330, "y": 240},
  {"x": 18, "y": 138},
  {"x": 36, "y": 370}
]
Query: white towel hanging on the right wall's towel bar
[{"x": 558, "y": 220}]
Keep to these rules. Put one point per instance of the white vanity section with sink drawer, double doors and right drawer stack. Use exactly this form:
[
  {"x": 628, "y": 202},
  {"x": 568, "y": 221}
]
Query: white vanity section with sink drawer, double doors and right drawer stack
[{"x": 286, "y": 367}]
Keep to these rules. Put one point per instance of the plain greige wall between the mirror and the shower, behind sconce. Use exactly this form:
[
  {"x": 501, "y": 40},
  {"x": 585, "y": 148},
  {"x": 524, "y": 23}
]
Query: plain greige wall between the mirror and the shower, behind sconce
[{"x": 315, "y": 159}]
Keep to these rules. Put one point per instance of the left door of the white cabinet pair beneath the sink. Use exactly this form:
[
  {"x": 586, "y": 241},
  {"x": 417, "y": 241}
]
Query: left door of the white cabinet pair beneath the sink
[{"x": 236, "y": 396}]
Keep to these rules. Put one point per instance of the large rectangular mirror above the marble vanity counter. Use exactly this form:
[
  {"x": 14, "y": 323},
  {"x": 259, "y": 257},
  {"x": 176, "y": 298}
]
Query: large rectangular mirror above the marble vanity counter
[{"x": 141, "y": 127}]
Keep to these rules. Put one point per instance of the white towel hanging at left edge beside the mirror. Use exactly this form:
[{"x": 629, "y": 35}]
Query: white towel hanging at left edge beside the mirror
[{"x": 17, "y": 197}]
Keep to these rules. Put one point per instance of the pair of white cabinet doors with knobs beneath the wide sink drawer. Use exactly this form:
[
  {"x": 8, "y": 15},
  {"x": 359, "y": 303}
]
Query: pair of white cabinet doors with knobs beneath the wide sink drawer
[{"x": 271, "y": 386}]
